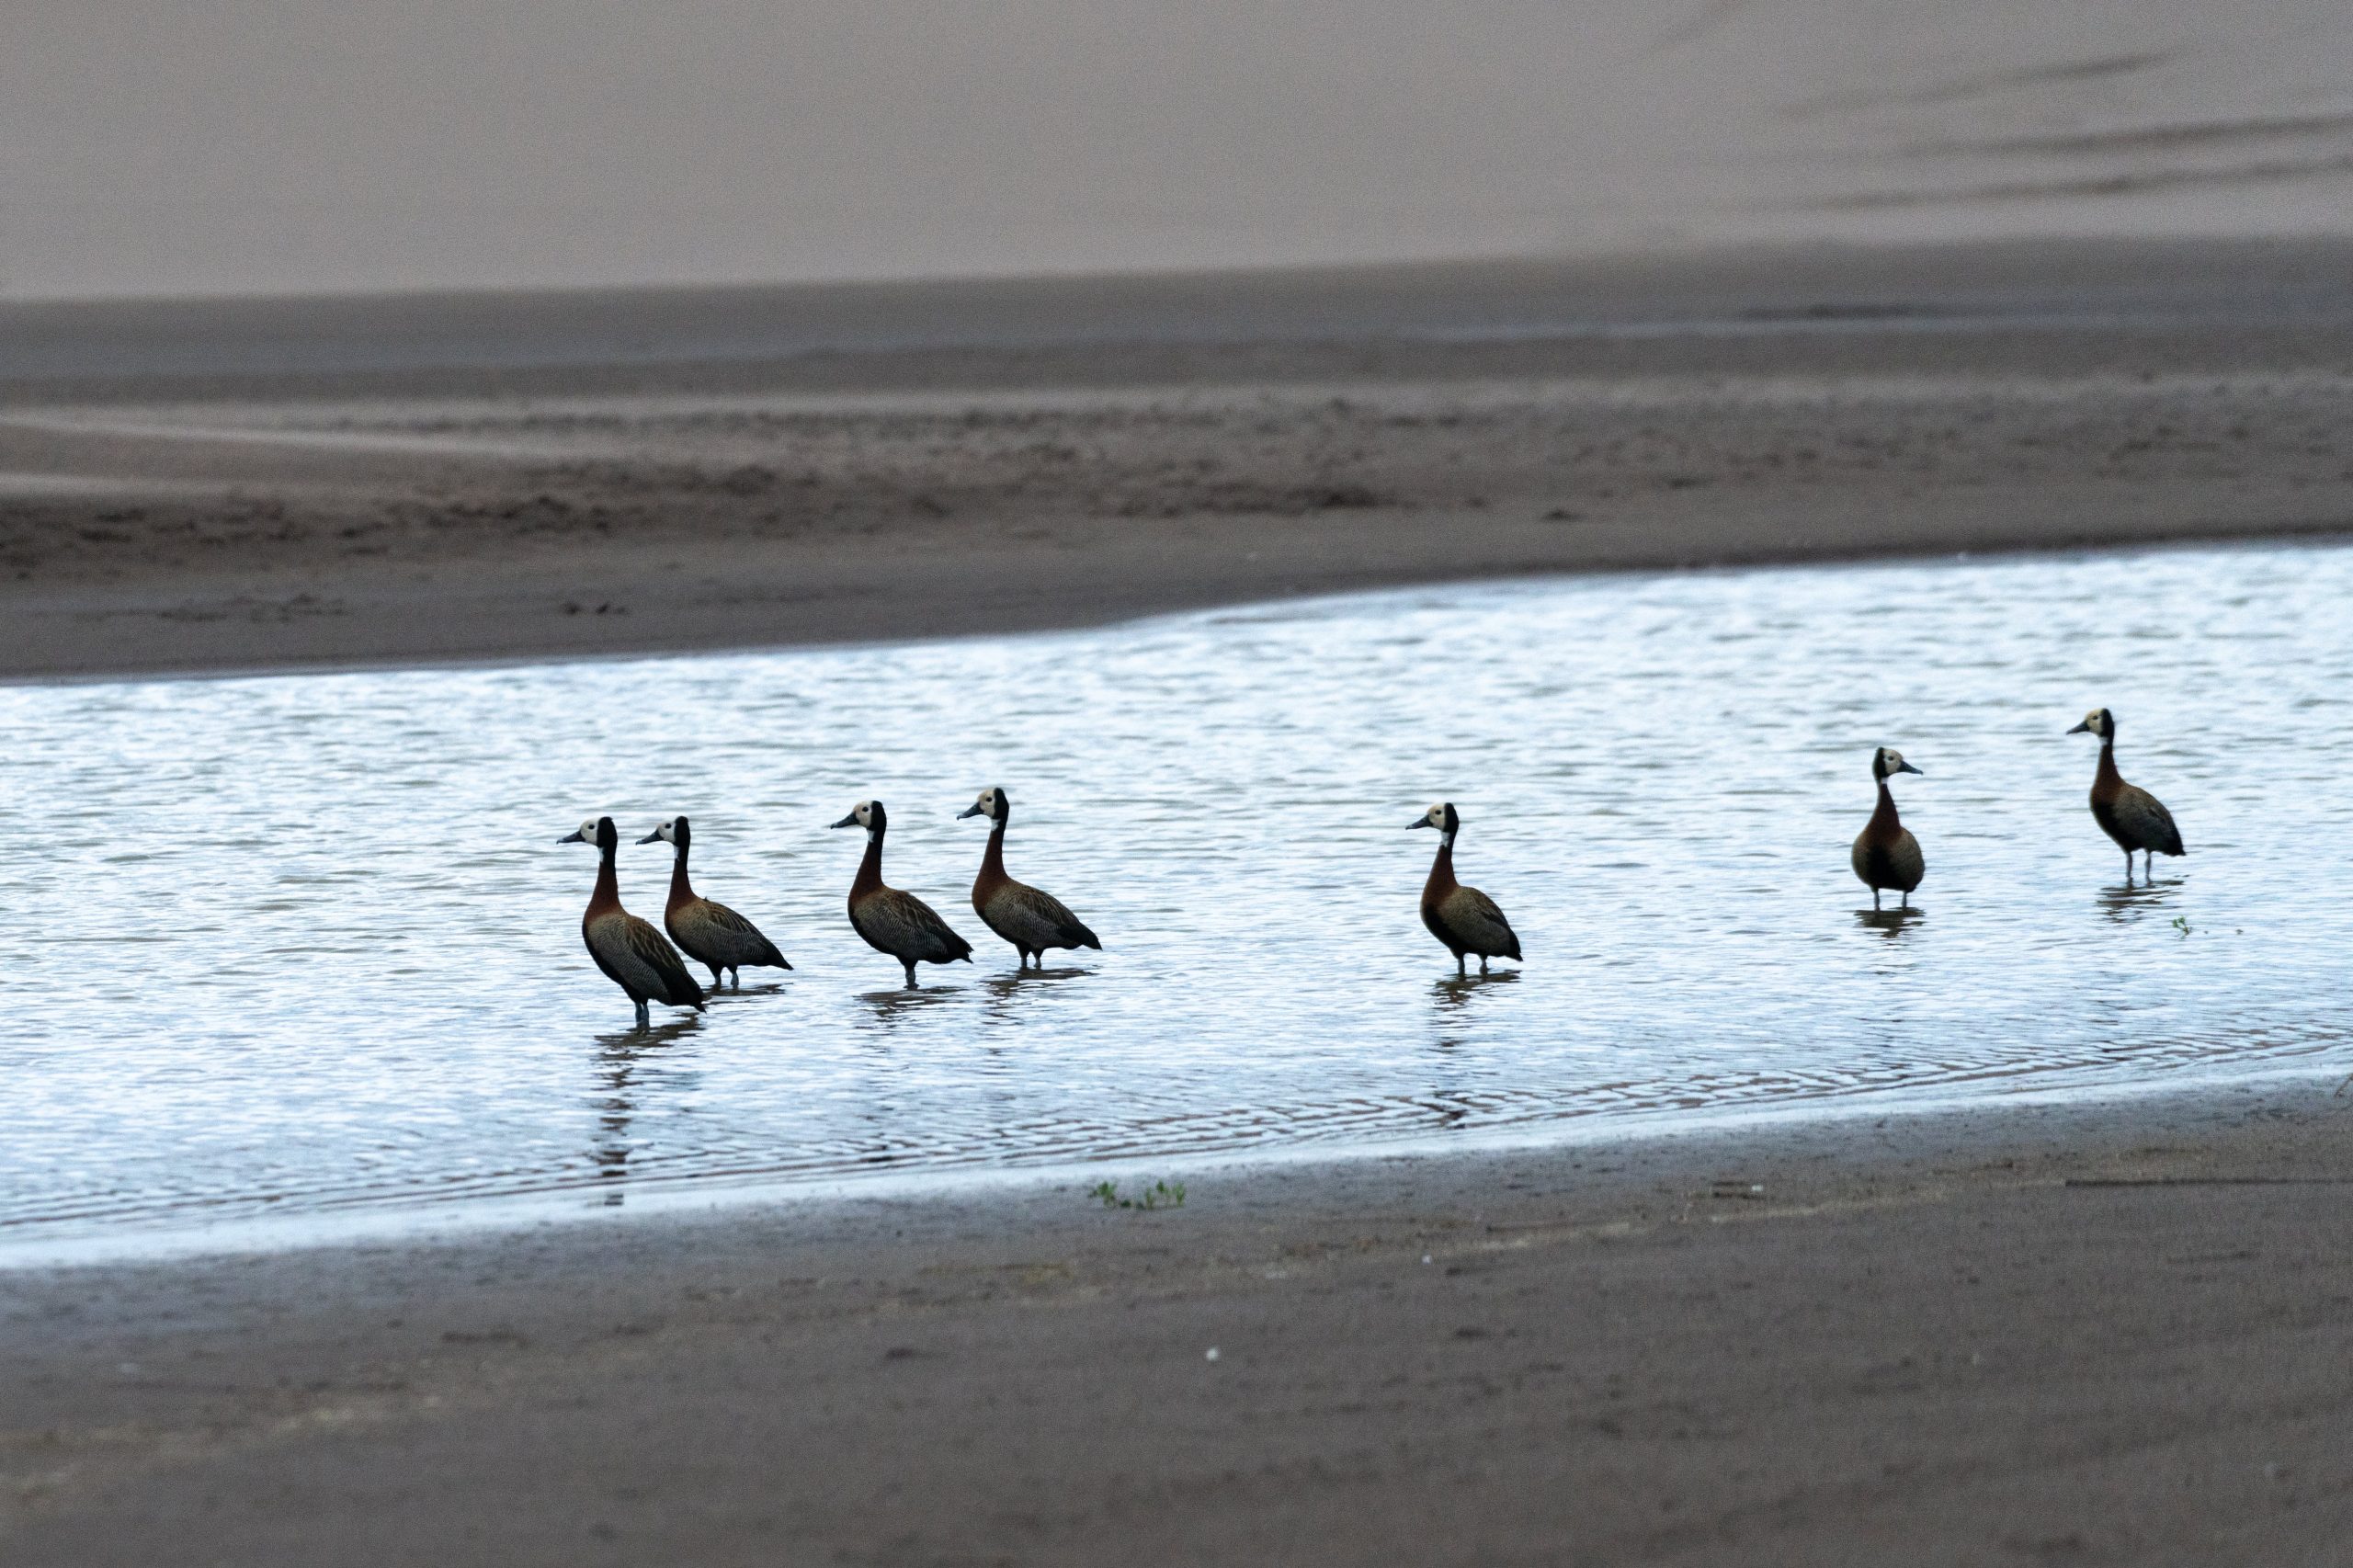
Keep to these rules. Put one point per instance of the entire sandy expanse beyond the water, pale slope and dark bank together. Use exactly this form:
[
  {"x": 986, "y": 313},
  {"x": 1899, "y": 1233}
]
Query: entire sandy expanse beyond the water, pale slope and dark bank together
[{"x": 448, "y": 333}]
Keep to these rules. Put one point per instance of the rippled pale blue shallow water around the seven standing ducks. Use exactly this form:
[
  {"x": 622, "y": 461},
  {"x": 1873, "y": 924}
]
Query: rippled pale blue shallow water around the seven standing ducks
[{"x": 305, "y": 945}]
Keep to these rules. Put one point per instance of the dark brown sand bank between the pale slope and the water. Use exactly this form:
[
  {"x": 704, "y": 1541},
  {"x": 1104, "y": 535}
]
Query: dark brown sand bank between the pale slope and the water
[{"x": 279, "y": 484}]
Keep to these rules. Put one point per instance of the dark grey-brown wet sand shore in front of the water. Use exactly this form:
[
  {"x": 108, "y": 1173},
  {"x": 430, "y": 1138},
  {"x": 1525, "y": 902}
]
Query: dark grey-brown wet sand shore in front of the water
[{"x": 2020, "y": 1334}]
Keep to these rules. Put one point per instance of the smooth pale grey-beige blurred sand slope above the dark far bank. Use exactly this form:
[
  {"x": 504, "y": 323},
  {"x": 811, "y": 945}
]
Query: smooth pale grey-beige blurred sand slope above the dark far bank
[{"x": 267, "y": 147}]
